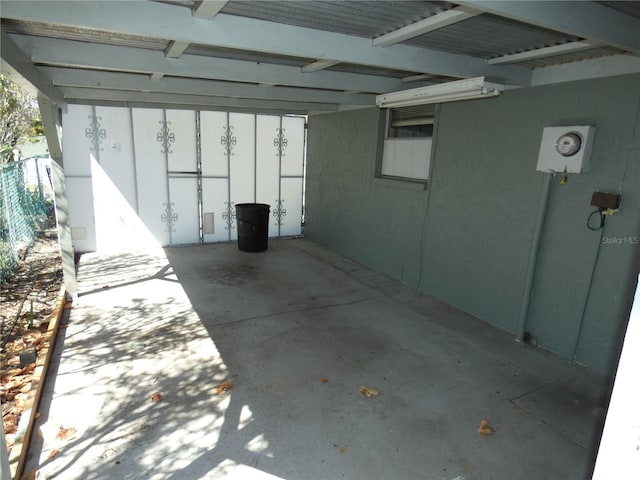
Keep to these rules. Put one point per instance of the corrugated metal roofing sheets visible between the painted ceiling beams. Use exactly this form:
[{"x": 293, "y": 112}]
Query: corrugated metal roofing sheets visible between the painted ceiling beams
[{"x": 484, "y": 36}]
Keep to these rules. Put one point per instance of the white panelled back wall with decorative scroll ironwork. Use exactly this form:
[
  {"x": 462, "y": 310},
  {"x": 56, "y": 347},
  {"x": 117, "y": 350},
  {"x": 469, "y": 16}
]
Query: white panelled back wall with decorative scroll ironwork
[{"x": 132, "y": 174}]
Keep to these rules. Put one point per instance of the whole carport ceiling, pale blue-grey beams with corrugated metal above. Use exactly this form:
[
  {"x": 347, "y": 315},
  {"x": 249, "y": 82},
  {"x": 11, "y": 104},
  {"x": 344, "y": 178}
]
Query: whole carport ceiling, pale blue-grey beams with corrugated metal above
[{"x": 254, "y": 49}]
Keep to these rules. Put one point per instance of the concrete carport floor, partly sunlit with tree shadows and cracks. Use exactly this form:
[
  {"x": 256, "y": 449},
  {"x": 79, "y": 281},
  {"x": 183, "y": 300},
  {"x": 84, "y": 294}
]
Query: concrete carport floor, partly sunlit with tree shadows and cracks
[{"x": 275, "y": 323}]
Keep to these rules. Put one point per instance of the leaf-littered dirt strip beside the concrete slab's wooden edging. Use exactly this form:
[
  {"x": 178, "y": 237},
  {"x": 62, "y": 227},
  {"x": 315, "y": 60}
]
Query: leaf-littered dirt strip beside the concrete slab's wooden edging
[{"x": 28, "y": 299}]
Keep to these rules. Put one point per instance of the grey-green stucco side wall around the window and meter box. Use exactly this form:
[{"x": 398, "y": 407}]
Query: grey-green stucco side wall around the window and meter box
[{"x": 467, "y": 238}]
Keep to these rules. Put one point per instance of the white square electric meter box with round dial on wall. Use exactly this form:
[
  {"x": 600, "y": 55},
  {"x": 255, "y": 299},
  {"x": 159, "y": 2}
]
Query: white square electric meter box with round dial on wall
[{"x": 566, "y": 149}]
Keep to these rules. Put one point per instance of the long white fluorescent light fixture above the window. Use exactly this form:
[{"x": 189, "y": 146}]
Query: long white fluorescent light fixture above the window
[{"x": 445, "y": 92}]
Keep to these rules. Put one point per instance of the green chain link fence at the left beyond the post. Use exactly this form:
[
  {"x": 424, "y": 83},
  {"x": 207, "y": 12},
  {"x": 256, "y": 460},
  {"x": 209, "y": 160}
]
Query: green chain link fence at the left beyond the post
[{"x": 25, "y": 207}]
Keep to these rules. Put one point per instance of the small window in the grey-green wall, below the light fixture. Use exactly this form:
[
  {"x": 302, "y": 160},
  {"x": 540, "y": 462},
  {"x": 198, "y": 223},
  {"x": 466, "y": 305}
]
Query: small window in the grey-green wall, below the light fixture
[{"x": 407, "y": 144}]
